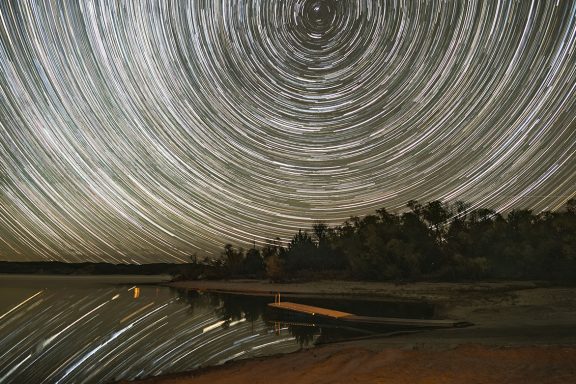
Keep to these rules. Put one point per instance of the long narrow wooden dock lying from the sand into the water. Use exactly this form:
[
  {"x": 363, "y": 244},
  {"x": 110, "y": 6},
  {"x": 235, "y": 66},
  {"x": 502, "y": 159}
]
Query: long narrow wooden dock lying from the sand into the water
[{"x": 368, "y": 320}]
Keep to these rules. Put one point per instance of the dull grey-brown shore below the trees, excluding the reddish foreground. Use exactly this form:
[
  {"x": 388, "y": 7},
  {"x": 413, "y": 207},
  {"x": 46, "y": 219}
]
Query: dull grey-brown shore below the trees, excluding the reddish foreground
[{"x": 503, "y": 313}]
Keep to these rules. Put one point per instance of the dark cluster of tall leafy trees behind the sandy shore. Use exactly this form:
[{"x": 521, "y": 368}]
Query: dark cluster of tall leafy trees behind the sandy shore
[{"x": 431, "y": 241}]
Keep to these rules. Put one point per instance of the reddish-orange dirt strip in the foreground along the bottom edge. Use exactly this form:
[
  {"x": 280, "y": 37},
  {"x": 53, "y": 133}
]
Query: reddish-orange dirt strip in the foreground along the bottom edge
[{"x": 337, "y": 364}]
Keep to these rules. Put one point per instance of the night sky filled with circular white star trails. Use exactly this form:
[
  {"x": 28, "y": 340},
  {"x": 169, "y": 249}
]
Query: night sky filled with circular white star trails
[{"x": 140, "y": 131}]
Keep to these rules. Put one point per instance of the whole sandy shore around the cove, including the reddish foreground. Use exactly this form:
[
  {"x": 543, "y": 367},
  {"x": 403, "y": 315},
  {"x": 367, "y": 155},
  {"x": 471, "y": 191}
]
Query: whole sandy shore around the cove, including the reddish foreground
[{"x": 524, "y": 332}]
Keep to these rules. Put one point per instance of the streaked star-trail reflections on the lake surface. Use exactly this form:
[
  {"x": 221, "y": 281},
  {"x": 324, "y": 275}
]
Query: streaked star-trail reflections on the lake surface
[{"x": 69, "y": 334}]
